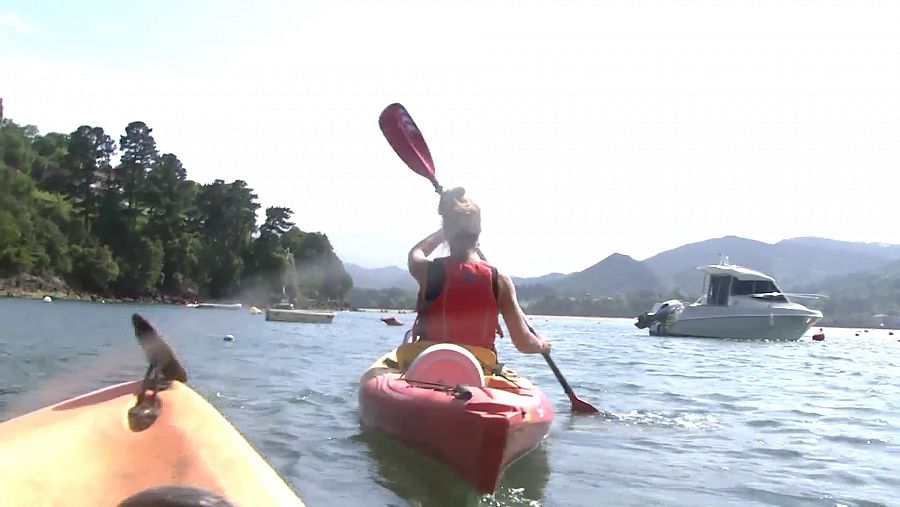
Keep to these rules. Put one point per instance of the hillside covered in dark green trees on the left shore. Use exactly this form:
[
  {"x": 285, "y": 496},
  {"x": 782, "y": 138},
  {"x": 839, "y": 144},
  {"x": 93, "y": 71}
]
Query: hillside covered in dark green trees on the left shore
[{"x": 119, "y": 218}]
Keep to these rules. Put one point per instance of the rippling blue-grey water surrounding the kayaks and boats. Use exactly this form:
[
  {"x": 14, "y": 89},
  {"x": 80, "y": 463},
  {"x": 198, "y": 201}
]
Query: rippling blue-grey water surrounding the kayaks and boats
[{"x": 698, "y": 421}]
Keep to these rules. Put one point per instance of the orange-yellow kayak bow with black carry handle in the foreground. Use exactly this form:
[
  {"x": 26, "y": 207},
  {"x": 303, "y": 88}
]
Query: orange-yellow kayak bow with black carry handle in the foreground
[{"x": 142, "y": 439}]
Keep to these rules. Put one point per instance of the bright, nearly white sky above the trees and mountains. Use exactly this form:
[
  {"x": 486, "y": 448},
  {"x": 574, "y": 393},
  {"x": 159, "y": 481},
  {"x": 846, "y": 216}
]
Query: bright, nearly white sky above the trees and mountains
[{"x": 581, "y": 128}]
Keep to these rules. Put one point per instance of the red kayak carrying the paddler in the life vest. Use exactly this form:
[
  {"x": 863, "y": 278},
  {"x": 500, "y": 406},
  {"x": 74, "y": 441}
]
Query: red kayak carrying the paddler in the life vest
[{"x": 438, "y": 399}]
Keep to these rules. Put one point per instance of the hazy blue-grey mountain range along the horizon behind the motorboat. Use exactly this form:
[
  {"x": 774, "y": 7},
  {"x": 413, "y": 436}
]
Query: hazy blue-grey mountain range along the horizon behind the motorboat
[{"x": 868, "y": 272}]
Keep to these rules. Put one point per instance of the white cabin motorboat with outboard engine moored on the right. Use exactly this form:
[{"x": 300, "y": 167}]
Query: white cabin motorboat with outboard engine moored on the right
[{"x": 738, "y": 303}]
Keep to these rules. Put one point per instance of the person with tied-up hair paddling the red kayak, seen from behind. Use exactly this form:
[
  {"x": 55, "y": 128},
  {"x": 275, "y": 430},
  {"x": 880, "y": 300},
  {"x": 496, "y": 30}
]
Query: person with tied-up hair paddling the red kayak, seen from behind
[{"x": 461, "y": 295}]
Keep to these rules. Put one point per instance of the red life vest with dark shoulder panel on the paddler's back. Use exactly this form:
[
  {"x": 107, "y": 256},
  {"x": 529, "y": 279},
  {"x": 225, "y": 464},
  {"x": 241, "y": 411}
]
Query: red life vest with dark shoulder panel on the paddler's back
[{"x": 461, "y": 308}]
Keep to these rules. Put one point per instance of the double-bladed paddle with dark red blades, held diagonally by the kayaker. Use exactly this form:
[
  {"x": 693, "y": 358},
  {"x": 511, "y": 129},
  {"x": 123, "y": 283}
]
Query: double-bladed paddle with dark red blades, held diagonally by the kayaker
[{"x": 406, "y": 139}]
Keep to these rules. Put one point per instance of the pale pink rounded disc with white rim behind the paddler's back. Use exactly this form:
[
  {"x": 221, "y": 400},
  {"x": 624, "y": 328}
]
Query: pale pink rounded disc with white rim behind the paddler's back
[{"x": 446, "y": 364}]
